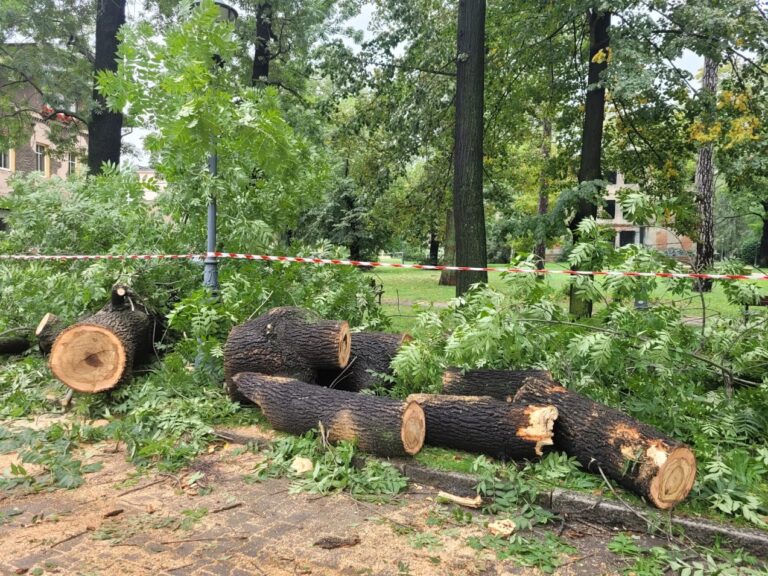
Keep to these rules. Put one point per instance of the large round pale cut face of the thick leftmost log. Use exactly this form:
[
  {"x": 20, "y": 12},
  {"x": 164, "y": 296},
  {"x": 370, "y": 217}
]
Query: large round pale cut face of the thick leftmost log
[{"x": 88, "y": 358}]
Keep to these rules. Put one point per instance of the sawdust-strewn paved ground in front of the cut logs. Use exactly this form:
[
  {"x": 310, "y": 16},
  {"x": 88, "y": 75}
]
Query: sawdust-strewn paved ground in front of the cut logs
[{"x": 209, "y": 520}]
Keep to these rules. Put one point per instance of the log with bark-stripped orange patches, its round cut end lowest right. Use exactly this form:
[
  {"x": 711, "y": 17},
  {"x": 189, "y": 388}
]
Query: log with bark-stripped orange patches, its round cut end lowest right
[{"x": 637, "y": 456}]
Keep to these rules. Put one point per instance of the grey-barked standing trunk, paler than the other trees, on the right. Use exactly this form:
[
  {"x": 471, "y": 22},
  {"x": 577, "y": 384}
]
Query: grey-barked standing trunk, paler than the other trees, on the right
[{"x": 705, "y": 185}]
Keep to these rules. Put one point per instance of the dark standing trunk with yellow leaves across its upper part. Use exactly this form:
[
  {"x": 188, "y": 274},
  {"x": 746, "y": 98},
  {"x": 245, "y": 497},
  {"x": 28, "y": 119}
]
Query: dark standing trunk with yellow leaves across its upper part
[{"x": 590, "y": 166}]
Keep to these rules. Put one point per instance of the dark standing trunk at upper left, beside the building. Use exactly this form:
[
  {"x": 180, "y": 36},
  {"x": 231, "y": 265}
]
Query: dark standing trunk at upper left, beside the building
[{"x": 105, "y": 127}]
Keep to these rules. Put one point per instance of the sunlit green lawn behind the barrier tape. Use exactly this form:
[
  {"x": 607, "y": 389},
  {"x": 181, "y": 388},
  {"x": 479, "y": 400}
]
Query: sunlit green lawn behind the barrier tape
[{"x": 407, "y": 290}]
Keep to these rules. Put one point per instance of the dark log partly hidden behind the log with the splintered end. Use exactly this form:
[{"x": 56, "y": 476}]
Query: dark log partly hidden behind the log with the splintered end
[{"x": 499, "y": 384}]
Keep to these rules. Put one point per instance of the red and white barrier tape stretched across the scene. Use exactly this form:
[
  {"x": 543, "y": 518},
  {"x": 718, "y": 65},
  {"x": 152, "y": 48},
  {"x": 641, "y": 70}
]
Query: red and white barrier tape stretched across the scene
[{"x": 310, "y": 260}]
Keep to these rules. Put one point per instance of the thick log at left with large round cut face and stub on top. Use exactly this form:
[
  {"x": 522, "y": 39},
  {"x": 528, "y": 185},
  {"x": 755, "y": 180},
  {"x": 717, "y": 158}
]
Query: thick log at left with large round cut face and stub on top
[{"x": 99, "y": 352}]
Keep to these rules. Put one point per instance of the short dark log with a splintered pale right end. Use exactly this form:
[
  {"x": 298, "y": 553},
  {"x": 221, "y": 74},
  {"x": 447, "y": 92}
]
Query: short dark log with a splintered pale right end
[{"x": 487, "y": 426}]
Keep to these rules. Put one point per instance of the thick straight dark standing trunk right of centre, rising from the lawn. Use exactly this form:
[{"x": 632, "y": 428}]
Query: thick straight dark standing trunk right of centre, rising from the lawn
[{"x": 468, "y": 209}]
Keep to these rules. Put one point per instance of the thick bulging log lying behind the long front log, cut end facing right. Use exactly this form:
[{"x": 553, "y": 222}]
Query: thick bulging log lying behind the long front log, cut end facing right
[{"x": 285, "y": 341}]
